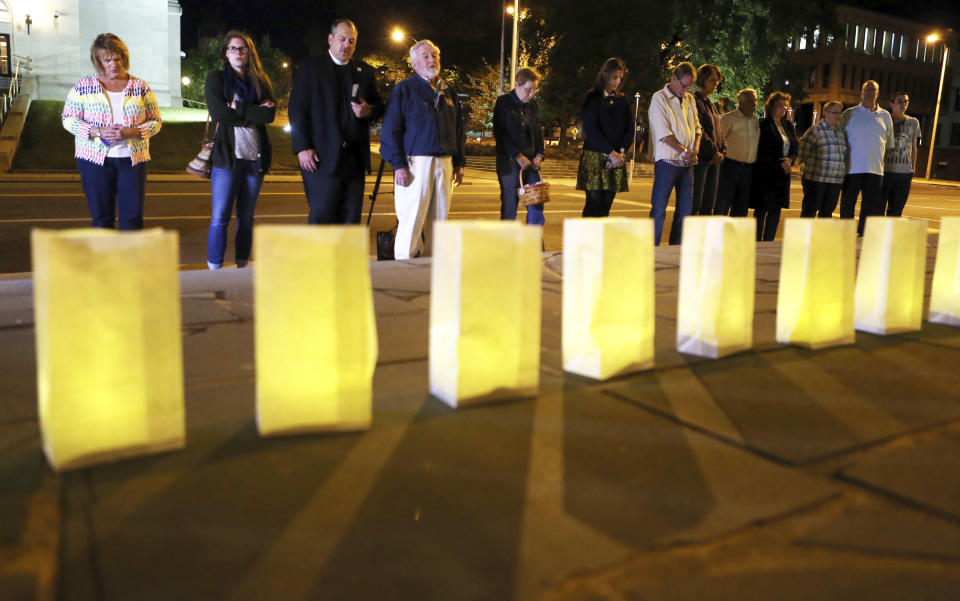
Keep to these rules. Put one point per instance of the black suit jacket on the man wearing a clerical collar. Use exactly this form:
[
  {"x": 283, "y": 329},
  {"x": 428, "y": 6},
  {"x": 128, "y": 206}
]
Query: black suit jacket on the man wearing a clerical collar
[{"x": 315, "y": 102}]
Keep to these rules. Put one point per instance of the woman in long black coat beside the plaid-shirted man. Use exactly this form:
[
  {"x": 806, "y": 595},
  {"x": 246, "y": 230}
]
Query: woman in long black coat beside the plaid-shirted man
[{"x": 776, "y": 150}]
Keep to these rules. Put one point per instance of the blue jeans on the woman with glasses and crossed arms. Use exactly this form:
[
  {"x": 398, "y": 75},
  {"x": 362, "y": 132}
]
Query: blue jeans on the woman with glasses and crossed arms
[{"x": 241, "y": 185}]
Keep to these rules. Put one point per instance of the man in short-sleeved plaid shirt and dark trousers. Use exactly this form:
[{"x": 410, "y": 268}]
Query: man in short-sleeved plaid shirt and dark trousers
[{"x": 823, "y": 163}]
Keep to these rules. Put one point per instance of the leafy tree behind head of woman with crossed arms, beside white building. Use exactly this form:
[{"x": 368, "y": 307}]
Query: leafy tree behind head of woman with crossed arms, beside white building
[{"x": 207, "y": 57}]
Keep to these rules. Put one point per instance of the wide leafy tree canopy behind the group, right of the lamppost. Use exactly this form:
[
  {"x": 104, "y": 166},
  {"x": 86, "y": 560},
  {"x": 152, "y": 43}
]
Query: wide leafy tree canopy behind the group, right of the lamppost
[{"x": 569, "y": 40}]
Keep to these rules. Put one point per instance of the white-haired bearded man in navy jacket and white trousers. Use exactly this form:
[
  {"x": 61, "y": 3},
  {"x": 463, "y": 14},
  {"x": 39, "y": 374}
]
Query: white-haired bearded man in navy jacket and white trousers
[{"x": 423, "y": 139}]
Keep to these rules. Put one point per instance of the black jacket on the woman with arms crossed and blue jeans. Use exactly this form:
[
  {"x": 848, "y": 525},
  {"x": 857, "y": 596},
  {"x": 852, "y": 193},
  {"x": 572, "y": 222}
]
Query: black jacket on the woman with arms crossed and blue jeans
[{"x": 224, "y": 119}]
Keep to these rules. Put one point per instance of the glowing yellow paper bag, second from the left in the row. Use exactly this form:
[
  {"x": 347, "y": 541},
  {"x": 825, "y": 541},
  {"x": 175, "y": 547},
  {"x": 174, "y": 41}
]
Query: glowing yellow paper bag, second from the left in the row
[{"x": 316, "y": 334}]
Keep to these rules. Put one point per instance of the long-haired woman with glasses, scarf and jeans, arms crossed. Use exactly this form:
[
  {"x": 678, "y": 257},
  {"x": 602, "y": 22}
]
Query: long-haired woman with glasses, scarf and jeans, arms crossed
[{"x": 240, "y": 100}]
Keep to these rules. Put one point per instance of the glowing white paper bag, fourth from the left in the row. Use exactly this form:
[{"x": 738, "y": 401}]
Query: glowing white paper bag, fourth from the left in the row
[{"x": 608, "y": 294}]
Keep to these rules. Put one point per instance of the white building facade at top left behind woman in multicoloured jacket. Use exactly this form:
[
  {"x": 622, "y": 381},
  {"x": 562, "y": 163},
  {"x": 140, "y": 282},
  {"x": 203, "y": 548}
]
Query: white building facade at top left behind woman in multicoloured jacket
[{"x": 53, "y": 37}]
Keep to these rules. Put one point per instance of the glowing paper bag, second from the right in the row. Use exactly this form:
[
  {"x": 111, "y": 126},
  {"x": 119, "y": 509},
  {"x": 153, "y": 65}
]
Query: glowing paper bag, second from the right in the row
[{"x": 890, "y": 277}]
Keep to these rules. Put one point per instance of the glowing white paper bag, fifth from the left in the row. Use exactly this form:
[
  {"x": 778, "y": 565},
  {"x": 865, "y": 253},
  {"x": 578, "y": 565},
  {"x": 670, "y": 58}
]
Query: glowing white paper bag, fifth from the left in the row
[{"x": 716, "y": 292}]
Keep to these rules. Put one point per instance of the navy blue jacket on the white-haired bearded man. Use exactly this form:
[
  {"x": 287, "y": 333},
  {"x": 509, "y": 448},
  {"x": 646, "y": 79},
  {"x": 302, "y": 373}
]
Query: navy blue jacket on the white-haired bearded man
[{"x": 421, "y": 122}]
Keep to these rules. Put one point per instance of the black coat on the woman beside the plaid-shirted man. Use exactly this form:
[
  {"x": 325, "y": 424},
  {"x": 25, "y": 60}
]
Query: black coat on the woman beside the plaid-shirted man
[{"x": 771, "y": 186}]
